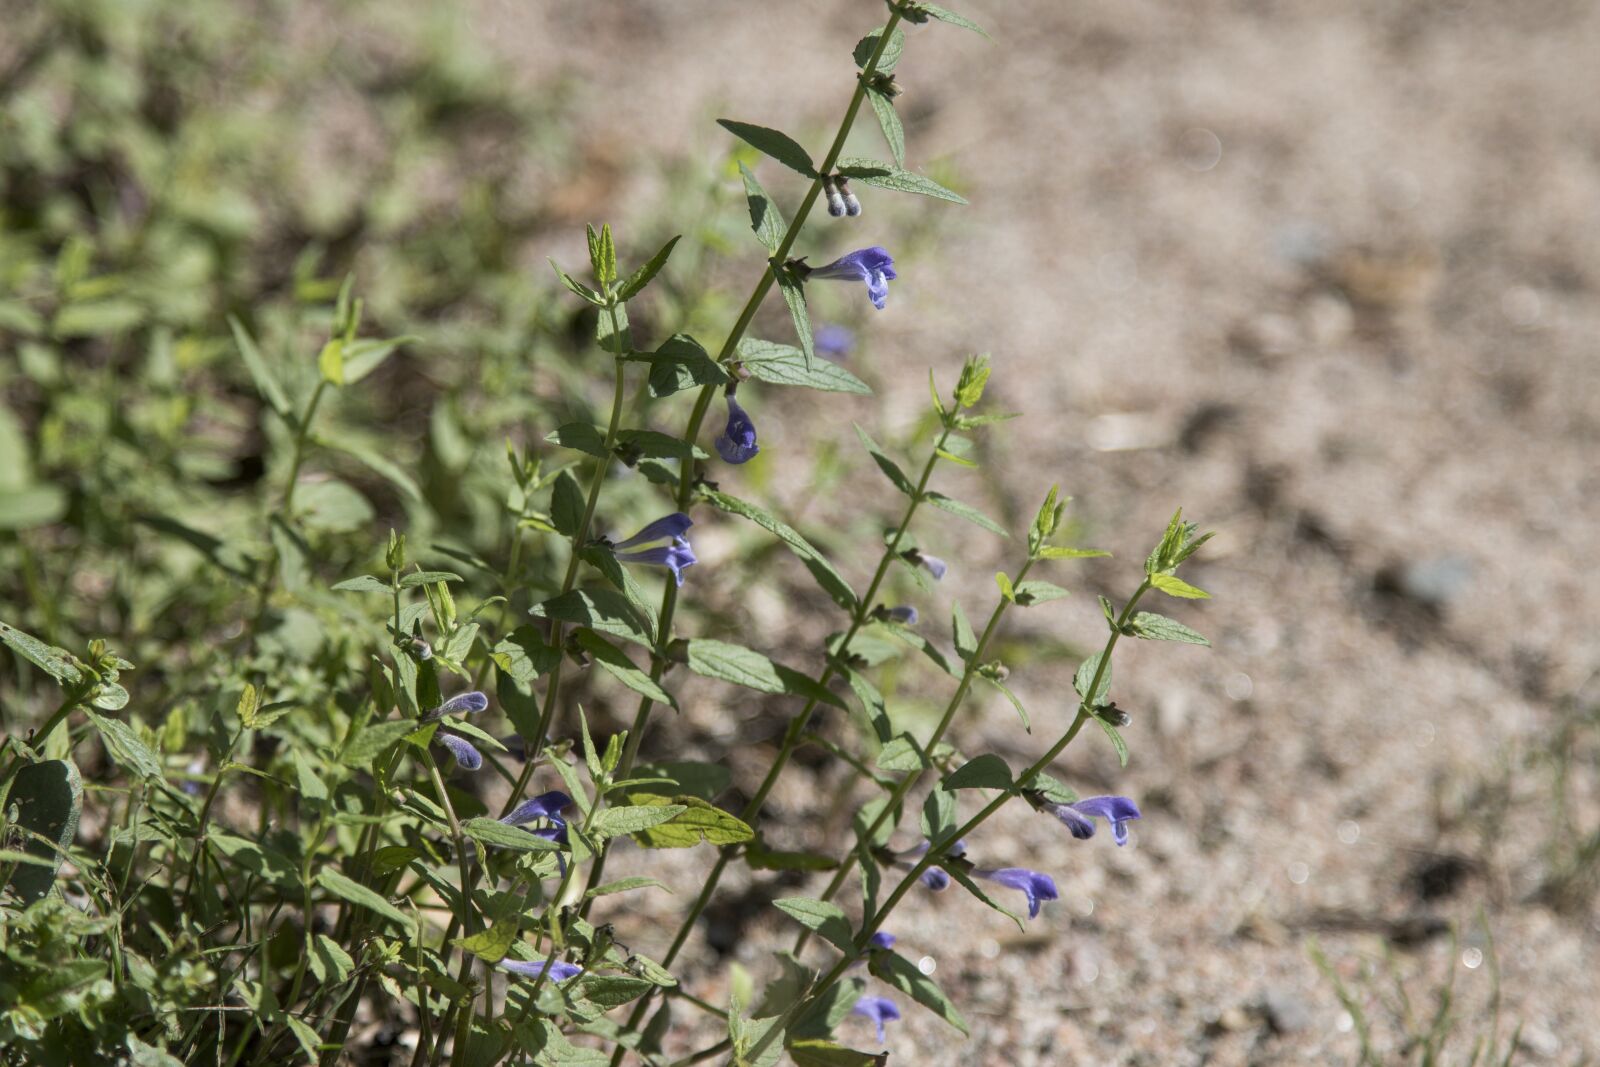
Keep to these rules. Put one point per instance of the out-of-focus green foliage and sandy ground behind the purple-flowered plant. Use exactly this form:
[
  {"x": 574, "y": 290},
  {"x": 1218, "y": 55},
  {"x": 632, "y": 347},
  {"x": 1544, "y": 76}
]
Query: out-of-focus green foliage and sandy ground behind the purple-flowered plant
[{"x": 1322, "y": 276}]
